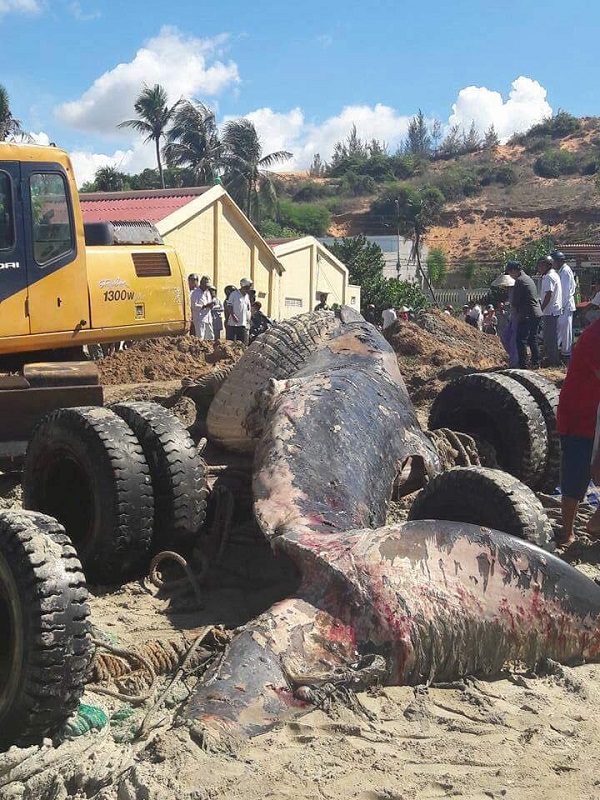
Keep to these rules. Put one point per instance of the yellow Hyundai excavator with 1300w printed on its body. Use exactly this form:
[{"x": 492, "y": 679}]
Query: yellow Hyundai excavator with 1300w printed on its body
[{"x": 64, "y": 285}]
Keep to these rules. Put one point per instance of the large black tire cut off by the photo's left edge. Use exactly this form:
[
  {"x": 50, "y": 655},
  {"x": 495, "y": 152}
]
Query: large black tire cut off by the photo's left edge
[{"x": 45, "y": 645}]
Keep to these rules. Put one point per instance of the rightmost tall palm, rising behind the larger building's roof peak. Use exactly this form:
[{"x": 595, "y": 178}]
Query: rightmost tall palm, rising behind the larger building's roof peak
[{"x": 247, "y": 177}]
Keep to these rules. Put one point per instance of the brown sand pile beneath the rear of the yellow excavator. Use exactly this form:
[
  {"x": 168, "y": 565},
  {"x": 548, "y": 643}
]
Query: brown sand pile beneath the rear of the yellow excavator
[{"x": 166, "y": 359}]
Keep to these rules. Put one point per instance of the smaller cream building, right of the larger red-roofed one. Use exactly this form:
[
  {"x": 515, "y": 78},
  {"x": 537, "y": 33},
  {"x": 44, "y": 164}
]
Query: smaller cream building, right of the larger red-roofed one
[{"x": 310, "y": 270}]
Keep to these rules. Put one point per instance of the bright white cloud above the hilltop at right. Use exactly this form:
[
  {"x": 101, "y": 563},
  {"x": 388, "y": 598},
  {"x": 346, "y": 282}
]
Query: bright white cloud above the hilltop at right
[{"x": 525, "y": 106}]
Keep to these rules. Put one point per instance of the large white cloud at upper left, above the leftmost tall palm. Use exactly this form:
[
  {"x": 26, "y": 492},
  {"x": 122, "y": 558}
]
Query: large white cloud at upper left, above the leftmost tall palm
[{"x": 185, "y": 66}]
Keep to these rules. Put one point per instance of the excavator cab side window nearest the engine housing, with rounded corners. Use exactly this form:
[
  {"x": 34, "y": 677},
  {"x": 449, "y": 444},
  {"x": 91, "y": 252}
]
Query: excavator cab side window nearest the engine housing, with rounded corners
[{"x": 52, "y": 230}]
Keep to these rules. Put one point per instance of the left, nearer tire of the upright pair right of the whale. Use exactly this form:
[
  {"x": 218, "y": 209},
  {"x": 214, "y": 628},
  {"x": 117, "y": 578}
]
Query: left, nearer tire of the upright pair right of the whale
[{"x": 498, "y": 410}]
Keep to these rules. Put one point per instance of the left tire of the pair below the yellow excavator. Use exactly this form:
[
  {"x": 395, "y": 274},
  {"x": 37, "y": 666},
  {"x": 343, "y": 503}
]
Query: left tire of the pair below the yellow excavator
[{"x": 85, "y": 467}]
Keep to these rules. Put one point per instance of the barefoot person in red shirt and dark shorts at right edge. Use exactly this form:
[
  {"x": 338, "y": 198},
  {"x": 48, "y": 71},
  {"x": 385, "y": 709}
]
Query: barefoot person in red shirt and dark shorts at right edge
[{"x": 576, "y": 425}]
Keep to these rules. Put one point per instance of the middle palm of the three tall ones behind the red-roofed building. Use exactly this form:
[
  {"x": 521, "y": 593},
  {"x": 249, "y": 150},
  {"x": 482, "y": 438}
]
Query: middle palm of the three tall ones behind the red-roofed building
[{"x": 193, "y": 142}]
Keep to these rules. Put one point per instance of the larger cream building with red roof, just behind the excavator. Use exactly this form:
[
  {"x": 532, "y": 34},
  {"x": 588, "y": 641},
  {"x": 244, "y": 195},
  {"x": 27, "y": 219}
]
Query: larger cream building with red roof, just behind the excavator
[{"x": 208, "y": 230}]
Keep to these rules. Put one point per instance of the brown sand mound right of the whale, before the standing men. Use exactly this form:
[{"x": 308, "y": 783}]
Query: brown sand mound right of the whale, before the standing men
[{"x": 439, "y": 347}]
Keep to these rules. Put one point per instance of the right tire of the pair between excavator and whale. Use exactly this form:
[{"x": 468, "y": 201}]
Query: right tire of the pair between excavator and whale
[{"x": 177, "y": 471}]
